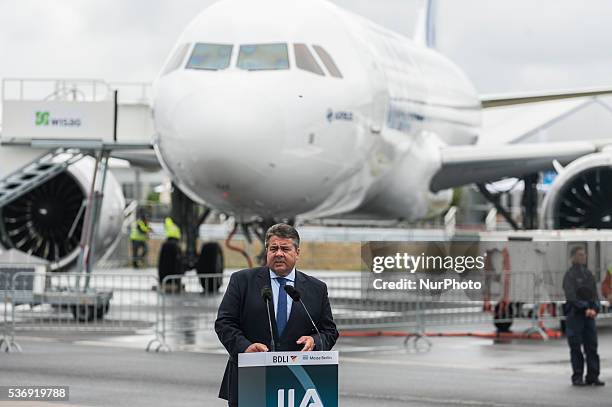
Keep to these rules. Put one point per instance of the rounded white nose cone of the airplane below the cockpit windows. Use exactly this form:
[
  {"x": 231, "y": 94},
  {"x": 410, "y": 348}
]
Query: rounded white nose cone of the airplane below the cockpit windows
[{"x": 225, "y": 140}]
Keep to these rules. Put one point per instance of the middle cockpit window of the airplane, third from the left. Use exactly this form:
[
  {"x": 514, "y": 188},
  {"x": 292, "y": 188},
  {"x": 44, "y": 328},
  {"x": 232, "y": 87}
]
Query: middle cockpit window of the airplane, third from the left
[{"x": 263, "y": 57}]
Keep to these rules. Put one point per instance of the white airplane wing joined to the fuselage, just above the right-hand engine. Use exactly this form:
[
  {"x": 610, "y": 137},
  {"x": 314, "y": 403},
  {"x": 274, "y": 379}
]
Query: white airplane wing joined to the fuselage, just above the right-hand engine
[{"x": 463, "y": 165}]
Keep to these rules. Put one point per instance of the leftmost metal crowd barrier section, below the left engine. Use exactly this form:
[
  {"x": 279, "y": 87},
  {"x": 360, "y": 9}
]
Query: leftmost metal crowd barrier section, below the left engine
[{"x": 73, "y": 302}]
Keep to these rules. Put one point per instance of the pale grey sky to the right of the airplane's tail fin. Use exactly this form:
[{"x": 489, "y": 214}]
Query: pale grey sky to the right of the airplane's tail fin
[{"x": 522, "y": 45}]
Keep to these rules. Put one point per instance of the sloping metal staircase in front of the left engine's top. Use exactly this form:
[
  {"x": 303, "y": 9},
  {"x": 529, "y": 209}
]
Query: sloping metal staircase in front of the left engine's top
[{"x": 36, "y": 173}]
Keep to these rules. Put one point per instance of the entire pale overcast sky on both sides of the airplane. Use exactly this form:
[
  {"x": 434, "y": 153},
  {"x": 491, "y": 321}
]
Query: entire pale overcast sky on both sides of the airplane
[{"x": 504, "y": 46}]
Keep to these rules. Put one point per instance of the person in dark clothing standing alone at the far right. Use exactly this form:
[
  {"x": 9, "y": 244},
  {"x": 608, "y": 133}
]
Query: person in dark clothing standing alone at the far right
[{"x": 581, "y": 308}]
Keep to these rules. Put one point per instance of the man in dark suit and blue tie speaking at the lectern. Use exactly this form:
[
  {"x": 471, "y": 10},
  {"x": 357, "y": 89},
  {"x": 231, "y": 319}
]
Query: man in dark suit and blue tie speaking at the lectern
[{"x": 242, "y": 321}]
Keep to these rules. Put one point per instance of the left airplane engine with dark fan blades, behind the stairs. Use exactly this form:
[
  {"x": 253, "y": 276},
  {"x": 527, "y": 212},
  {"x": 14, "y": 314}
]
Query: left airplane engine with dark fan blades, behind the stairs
[{"x": 47, "y": 221}]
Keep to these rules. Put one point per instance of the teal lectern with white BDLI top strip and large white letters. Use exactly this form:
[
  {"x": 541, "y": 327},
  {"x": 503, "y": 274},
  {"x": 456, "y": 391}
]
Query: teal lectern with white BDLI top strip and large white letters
[{"x": 288, "y": 379}]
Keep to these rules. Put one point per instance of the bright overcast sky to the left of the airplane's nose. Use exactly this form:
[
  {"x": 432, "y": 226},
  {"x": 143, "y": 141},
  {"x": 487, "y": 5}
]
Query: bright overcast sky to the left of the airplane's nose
[{"x": 111, "y": 39}]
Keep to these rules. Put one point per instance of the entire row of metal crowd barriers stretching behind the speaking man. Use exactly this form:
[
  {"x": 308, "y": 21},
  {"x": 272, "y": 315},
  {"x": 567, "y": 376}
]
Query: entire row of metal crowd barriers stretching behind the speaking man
[{"x": 183, "y": 308}]
